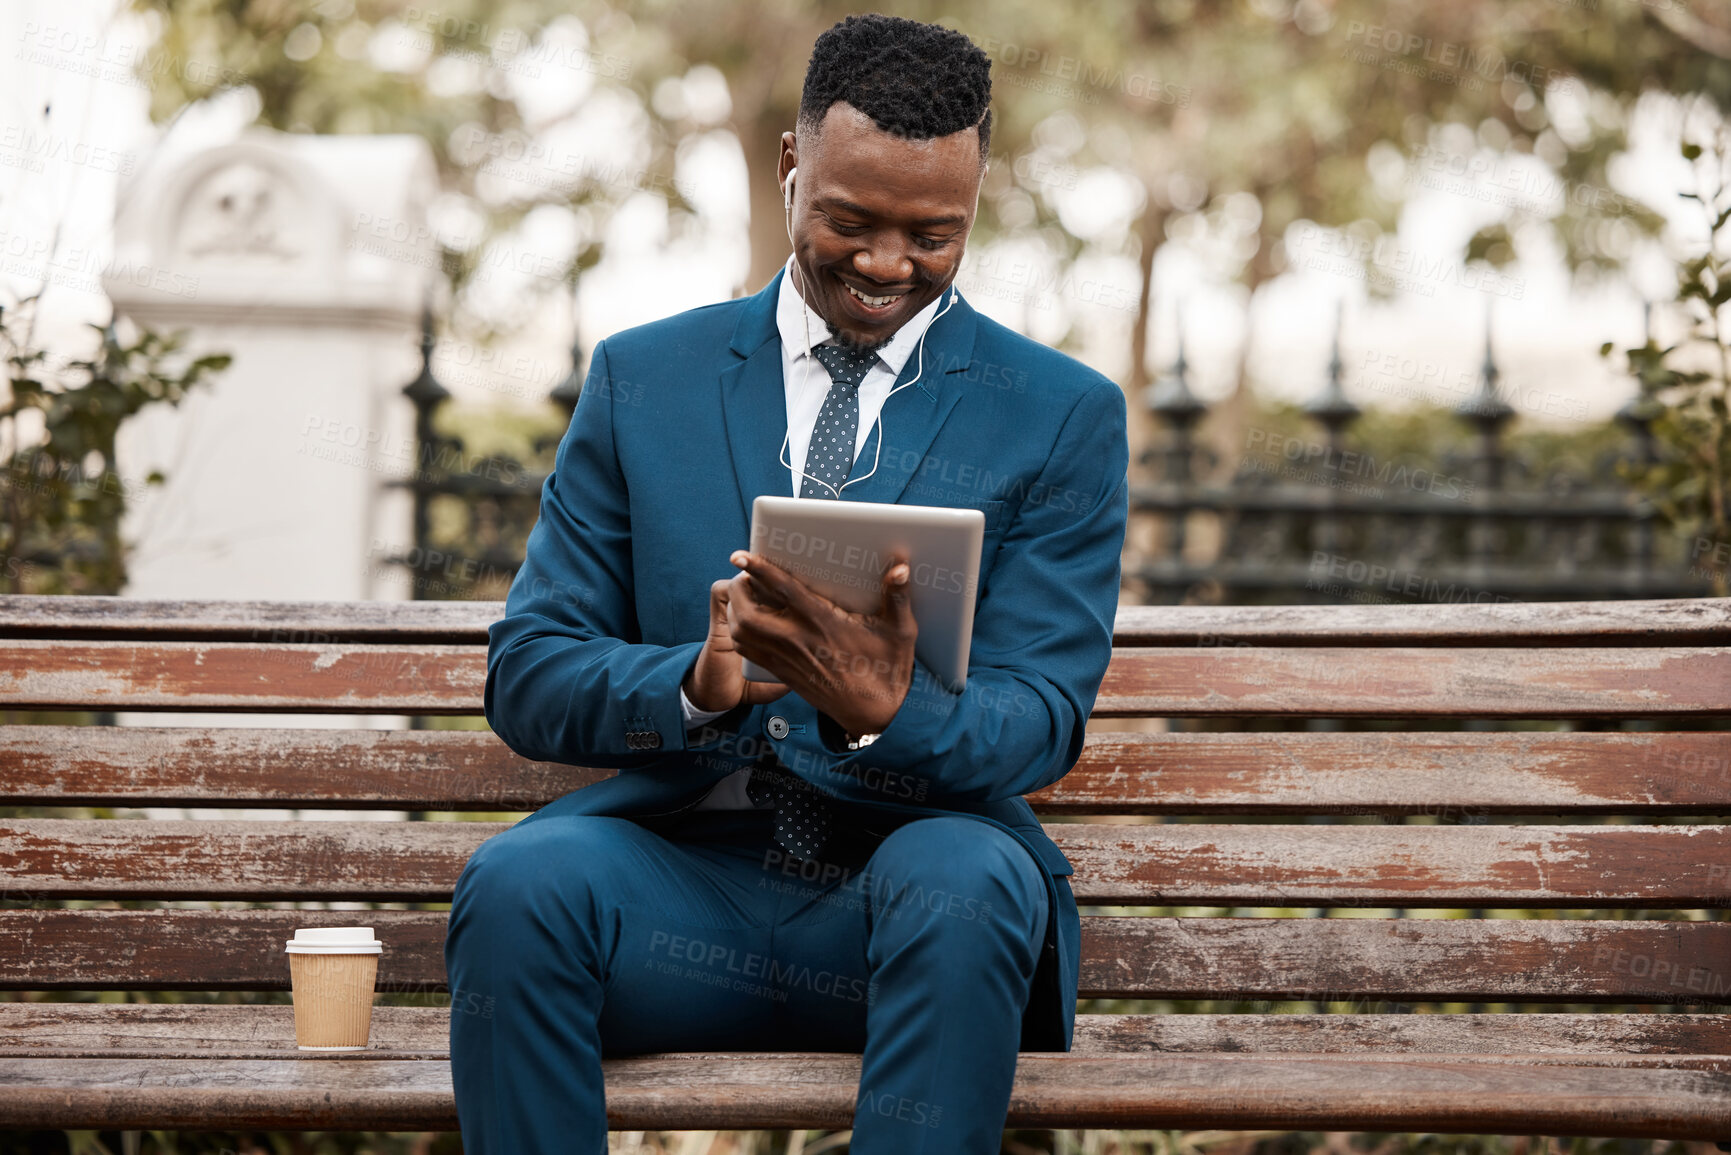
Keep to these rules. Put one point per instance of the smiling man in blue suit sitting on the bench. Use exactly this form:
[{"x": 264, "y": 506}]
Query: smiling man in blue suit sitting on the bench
[{"x": 840, "y": 861}]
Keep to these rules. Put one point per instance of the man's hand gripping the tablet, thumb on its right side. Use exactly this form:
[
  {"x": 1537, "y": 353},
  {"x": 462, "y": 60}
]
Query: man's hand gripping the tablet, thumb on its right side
[{"x": 856, "y": 668}]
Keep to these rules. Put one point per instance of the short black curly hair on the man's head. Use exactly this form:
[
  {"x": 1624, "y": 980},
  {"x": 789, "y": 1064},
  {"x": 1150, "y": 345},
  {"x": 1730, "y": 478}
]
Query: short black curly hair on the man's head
[{"x": 915, "y": 81}]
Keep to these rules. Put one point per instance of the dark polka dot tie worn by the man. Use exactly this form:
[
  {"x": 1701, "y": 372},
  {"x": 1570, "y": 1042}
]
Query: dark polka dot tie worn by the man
[{"x": 804, "y": 818}]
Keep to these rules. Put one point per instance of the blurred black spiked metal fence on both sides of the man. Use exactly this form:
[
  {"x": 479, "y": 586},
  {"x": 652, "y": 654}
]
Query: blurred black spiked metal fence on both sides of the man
[{"x": 1308, "y": 519}]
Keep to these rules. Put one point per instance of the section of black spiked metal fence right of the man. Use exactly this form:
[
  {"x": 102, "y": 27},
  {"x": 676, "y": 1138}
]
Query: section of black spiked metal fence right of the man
[{"x": 1316, "y": 520}]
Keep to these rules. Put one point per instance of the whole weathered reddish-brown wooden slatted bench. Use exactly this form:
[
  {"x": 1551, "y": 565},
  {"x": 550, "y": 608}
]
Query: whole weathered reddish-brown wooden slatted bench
[{"x": 1275, "y": 837}]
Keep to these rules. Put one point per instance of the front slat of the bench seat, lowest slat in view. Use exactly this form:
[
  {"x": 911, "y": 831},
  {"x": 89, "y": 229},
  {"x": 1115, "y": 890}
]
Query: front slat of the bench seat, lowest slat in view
[{"x": 1498, "y": 1095}]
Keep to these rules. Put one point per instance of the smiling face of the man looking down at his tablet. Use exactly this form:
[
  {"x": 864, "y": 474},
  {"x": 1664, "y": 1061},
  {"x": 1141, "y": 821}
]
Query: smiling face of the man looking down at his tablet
[{"x": 880, "y": 221}]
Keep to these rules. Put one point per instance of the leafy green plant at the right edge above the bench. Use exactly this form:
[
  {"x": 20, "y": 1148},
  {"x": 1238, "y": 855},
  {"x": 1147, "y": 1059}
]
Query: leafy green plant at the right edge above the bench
[{"x": 1685, "y": 384}]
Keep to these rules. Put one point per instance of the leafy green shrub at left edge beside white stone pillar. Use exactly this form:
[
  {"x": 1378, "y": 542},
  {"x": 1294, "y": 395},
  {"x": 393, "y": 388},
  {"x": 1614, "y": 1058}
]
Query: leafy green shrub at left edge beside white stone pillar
[{"x": 63, "y": 500}]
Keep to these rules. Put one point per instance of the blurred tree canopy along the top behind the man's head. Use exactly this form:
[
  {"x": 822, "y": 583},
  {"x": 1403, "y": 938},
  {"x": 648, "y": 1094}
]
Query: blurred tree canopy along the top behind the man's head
[{"x": 1237, "y": 119}]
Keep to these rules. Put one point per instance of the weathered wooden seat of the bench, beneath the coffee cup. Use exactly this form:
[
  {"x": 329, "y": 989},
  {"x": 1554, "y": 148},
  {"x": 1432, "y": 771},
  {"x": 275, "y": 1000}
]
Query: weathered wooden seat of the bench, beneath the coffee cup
[{"x": 236, "y": 1068}]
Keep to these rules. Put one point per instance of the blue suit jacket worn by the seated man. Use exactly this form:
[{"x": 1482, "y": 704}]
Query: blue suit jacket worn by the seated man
[{"x": 678, "y": 432}]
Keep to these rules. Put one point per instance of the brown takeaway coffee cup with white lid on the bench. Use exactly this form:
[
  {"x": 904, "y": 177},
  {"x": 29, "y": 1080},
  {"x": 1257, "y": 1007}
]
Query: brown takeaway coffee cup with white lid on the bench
[{"x": 333, "y": 971}]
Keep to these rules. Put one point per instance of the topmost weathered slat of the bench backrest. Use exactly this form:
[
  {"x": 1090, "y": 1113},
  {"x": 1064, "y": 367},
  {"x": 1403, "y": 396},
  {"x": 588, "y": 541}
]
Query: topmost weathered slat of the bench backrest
[{"x": 1661, "y": 623}]
